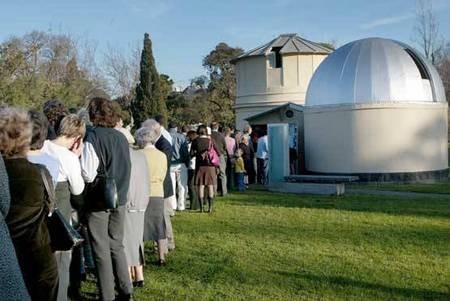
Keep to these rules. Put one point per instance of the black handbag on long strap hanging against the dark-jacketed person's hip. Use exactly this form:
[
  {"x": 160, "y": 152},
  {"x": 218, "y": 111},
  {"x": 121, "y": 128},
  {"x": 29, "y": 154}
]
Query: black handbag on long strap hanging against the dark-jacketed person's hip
[{"x": 101, "y": 194}]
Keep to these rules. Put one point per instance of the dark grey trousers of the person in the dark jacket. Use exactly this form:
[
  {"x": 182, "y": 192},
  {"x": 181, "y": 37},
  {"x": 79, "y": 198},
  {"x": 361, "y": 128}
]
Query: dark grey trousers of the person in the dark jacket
[{"x": 106, "y": 232}]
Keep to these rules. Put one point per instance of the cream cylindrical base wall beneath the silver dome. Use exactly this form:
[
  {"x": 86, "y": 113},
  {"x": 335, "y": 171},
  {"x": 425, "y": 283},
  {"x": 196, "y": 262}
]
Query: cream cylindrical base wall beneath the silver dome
[{"x": 375, "y": 140}]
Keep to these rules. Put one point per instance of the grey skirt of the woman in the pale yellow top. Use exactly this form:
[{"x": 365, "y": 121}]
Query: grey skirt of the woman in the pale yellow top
[{"x": 154, "y": 225}]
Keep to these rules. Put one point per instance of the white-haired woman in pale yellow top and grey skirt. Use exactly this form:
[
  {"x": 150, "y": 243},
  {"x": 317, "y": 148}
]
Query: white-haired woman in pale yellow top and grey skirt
[{"x": 154, "y": 225}]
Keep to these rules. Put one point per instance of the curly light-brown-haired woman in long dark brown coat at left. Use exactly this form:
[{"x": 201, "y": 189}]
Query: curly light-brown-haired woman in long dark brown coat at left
[{"x": 26, "y": 219}]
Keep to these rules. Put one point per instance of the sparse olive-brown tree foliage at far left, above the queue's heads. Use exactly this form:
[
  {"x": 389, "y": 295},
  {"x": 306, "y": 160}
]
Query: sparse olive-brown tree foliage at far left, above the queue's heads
[{"x": 41, "y": 66}]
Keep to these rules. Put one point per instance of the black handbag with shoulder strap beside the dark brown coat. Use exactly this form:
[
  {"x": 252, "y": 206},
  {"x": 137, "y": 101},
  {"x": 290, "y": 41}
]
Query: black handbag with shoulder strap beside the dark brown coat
[{"x": 63, "y": 237}]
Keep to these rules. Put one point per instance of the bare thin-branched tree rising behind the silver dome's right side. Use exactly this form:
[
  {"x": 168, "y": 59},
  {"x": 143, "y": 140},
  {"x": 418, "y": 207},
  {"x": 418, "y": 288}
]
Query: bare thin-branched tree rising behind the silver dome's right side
[{"x": 427, "y": 30}]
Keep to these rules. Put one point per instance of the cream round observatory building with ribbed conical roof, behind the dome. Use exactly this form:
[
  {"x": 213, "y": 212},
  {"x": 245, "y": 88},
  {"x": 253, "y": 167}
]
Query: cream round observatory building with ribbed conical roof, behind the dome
[{"x": 274, "y": 74}]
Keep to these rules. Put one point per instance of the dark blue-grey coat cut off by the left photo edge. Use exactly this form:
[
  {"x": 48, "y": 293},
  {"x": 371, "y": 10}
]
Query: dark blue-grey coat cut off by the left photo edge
[{"x": 12, "y": 286}]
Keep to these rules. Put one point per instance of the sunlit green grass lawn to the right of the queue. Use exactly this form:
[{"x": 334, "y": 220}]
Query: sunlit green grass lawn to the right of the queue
[{"x": 265, "y": 246}]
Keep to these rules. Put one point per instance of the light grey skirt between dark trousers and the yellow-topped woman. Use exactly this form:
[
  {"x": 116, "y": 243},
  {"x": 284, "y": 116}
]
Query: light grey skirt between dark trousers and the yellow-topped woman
[{"x": 133, "y": 237}]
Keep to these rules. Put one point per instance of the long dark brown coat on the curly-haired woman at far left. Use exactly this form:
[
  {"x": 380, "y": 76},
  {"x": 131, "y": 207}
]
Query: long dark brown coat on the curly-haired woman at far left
[{"x": 28, "y": 229}]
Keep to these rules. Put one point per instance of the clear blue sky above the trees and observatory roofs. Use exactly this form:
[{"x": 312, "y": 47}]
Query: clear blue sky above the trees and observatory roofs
[{"x": 184, "y": 31}]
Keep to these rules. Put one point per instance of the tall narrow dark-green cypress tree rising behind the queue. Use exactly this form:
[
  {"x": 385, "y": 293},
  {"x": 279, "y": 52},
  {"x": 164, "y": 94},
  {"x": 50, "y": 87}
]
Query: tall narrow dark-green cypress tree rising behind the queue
[{"x": 149, "y": 100}]
